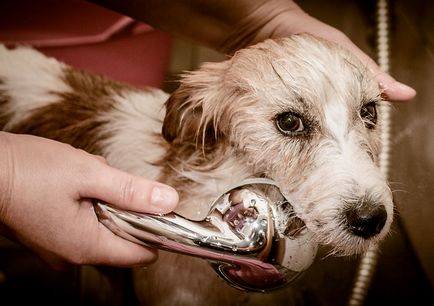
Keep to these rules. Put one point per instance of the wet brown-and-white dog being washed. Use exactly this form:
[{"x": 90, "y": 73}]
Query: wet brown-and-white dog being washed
[{"x": 299, "y": 110}]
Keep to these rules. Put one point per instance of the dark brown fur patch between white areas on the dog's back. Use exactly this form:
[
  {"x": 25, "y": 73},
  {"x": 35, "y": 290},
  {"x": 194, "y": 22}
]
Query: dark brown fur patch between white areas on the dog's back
[{"x": 75, "y": 117}]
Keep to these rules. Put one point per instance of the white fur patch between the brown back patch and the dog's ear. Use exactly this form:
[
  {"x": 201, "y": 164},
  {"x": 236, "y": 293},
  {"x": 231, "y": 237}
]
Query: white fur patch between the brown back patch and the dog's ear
[{"x": 125, "y": 148}]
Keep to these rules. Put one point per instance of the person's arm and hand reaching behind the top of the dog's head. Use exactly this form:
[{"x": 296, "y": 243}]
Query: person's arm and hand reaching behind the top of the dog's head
[{"x": 228, "y": 25}]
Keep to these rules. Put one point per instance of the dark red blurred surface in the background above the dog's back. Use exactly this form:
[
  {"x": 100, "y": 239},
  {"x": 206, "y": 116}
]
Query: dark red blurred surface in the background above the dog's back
[{"x": 88, "y": 37}]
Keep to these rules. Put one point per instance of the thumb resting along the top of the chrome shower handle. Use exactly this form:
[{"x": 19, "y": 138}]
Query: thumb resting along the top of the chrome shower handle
[{"x": 129, "y": 192}]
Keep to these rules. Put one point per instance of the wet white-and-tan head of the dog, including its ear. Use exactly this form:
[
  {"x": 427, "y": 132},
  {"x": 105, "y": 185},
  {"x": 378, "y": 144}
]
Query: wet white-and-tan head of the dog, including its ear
[{"x": 302, "y": 112}]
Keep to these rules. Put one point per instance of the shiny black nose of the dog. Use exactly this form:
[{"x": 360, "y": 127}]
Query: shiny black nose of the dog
[{"x": 367, "y": 220}]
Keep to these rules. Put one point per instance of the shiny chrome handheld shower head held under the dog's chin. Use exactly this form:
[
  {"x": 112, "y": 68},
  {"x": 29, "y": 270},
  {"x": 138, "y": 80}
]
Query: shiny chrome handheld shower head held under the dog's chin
[{"x": 240, "y": 236}]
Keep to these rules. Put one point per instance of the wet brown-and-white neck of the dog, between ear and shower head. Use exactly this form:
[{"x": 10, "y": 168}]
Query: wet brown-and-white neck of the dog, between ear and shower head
[{"x": 200, "y": 178}]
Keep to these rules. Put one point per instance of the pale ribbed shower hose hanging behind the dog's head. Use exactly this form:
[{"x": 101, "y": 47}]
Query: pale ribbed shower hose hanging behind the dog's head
[{"x": 369, "y": 260}]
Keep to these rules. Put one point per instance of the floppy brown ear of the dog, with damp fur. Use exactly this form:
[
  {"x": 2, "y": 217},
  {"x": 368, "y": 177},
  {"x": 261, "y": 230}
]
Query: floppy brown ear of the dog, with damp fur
[{"x": 195, "y": 111}]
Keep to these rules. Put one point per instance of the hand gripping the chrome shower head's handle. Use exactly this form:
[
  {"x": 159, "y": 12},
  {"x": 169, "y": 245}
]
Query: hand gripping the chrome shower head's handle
[{"x": 46, "y": 189}]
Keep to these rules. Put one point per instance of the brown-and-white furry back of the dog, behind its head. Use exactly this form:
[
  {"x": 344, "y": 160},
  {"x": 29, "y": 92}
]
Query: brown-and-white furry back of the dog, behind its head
[{"x": 44, "y": 97}]
